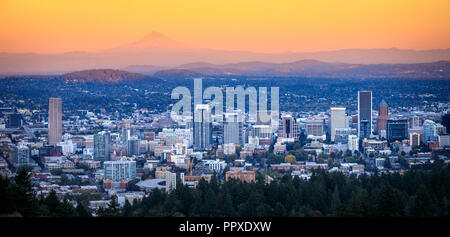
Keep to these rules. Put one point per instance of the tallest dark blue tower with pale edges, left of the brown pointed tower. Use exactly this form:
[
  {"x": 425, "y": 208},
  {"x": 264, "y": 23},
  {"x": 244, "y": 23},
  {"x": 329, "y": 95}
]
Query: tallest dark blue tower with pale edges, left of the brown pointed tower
[{"x": 364, "y": 114}]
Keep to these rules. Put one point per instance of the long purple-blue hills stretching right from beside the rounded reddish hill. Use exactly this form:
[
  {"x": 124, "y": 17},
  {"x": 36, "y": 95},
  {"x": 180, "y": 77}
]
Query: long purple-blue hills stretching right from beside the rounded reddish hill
[{"x": 314, "y": 68}]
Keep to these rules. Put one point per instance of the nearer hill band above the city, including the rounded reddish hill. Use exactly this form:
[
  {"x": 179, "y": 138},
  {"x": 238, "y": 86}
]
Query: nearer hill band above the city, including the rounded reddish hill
[{"x": 302, "y": 68}]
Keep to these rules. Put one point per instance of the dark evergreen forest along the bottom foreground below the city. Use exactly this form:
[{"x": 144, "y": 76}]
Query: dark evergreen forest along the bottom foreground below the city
[{"x": 417, "y": 192}]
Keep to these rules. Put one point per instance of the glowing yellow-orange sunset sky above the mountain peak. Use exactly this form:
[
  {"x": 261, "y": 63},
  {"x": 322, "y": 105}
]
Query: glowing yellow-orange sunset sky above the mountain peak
[{"x": 54, "y": 26}]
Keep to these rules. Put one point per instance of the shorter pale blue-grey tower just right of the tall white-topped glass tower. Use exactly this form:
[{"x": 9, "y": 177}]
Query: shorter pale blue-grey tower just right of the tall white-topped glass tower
[{"x": 233, "y": 131}]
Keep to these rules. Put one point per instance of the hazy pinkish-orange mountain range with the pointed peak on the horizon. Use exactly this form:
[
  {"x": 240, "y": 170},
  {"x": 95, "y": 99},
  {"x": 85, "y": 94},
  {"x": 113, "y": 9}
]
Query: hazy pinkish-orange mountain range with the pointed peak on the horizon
[{"x": 161, "y": 51}]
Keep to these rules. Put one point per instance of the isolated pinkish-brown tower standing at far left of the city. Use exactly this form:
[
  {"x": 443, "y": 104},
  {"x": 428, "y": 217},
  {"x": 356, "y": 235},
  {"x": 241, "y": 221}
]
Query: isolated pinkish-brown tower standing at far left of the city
[{"x": 54, "y": 121}]
